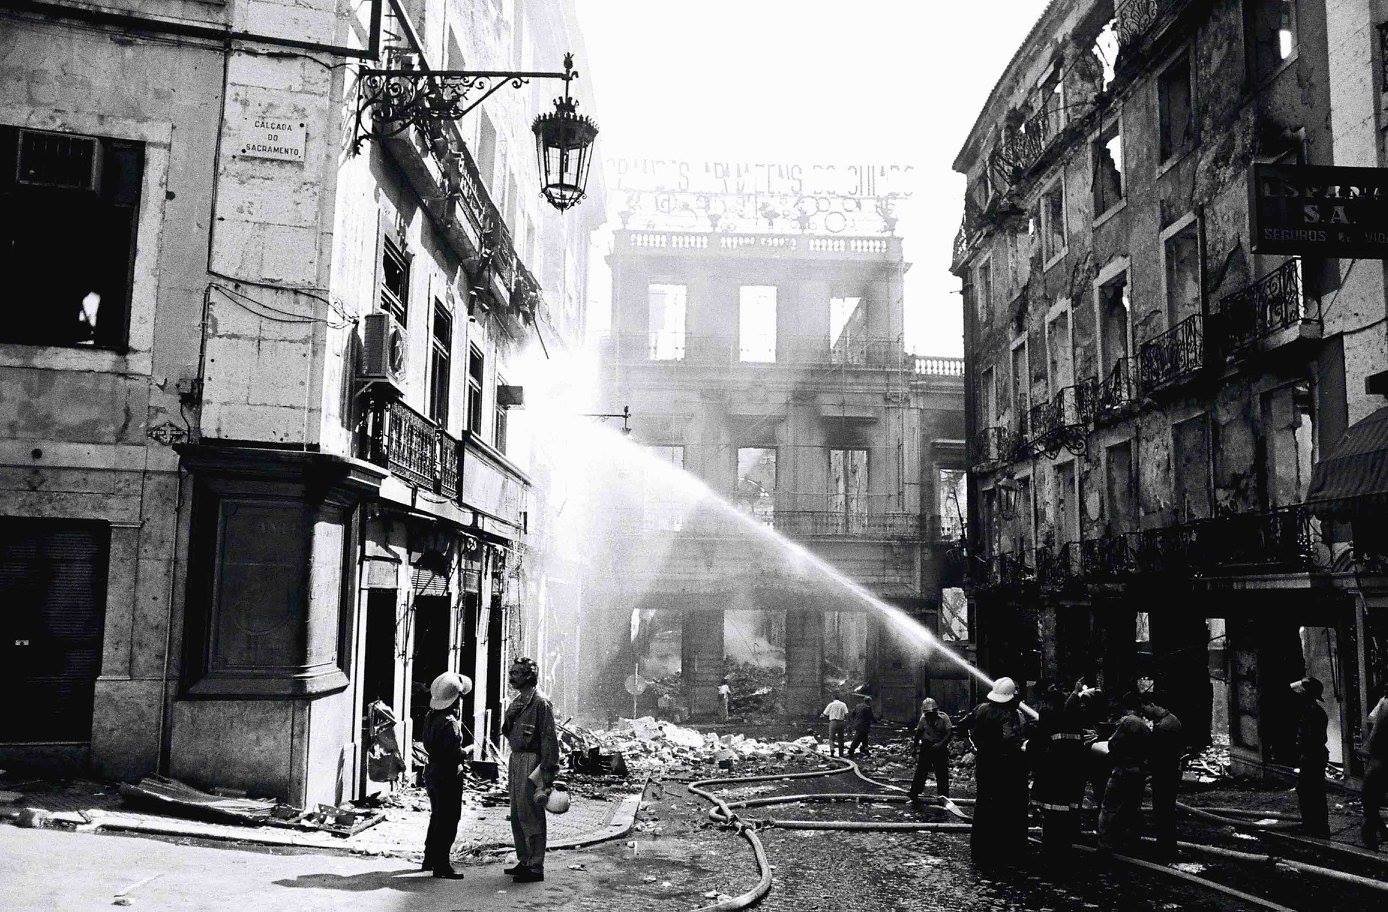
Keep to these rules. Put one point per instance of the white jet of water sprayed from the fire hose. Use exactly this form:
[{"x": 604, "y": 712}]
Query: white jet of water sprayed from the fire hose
[{"x": 593, "y": 460}]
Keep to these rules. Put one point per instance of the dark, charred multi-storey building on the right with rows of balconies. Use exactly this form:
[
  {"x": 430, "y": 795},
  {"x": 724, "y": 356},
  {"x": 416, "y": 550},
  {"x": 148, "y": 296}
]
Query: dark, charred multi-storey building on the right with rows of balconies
[{"x": 1149, "y": 396}]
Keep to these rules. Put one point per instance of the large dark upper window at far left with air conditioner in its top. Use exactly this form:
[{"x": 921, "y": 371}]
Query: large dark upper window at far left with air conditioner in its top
[{"x": 67, "y": 242}]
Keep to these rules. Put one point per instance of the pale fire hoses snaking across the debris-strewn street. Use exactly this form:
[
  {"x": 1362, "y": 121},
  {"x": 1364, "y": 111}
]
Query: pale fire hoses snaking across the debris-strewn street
[{"x": 724, "y": 813}]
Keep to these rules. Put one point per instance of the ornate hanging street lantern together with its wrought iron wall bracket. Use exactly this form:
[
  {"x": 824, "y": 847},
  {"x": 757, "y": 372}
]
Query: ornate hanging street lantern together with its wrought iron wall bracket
[{"x": 389, "y": 102}]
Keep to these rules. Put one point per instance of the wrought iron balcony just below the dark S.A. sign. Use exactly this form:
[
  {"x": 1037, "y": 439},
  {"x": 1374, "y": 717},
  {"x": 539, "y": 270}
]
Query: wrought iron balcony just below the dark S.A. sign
[{"x": 1272, "y": 313}]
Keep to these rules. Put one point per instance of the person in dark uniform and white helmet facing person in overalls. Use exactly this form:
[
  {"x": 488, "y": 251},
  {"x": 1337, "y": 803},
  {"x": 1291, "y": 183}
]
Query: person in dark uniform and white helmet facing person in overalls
[{"x": 443, "y": 775}]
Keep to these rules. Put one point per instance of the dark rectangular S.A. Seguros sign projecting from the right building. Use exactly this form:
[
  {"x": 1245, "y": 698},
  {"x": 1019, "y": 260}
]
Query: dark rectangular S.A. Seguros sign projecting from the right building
[{"x": 1319, "y": 212}]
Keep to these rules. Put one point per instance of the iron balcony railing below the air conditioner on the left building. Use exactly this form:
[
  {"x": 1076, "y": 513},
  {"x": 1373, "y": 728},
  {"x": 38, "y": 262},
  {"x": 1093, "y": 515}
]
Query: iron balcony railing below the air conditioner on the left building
[{"x": 413, "y": 448}]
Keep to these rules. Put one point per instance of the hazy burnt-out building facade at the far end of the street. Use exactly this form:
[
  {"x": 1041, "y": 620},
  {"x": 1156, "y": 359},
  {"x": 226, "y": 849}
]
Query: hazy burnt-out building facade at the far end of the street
[{"x": 772, "y": 367}]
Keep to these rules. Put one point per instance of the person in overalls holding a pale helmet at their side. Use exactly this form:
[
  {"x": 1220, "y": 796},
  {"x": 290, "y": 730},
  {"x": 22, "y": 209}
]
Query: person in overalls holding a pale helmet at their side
[{"x": 535, "y": 760}]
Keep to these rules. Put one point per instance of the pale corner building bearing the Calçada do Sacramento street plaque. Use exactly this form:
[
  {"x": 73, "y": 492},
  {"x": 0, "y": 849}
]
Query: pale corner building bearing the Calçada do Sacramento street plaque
[{"x": 257, "y": 488}]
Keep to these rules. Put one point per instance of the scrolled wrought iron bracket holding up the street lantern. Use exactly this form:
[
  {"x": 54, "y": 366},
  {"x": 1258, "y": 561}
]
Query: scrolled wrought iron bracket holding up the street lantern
[{"x": 389, "y": 102}]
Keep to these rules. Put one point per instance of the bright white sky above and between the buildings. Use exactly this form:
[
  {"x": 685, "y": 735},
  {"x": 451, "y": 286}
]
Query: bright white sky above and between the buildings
[{"x": 811, "y": 81}]
